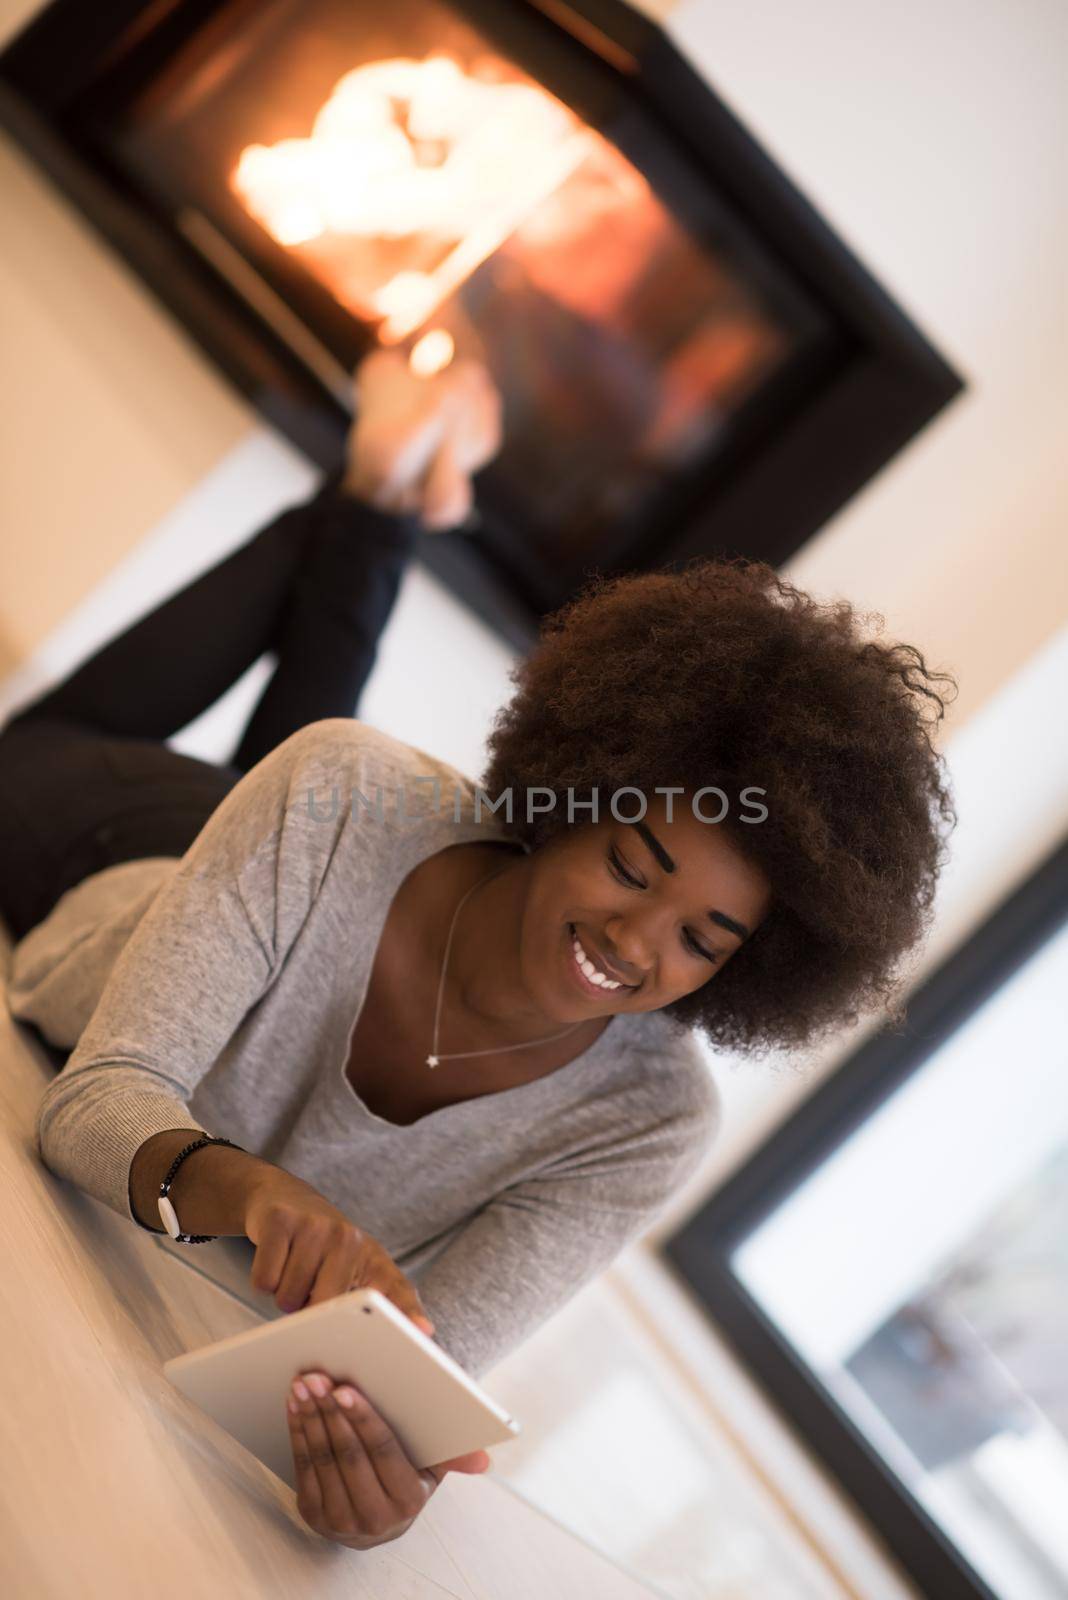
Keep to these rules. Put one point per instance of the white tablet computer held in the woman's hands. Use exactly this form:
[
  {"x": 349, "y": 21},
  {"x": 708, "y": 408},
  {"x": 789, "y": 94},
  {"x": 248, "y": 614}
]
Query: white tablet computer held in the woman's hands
[{"x": 429, "y": 1401}]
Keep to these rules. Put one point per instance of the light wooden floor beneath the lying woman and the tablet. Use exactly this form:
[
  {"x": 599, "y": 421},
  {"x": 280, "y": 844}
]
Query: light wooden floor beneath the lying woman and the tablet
[{"x": 113, "y": 1484}]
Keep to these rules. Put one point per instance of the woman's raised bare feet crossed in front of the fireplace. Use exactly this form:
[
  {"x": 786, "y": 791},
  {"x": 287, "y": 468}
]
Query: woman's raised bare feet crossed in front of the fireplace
[{"x": 416, "y": 441}]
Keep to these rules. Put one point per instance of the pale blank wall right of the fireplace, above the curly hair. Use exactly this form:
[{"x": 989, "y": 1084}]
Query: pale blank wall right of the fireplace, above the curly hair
[{"x": 933, "y": 135}]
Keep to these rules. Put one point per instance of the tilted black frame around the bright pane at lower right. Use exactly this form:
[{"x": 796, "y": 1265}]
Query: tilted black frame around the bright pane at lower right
[{"x": 699, "y": 1254}]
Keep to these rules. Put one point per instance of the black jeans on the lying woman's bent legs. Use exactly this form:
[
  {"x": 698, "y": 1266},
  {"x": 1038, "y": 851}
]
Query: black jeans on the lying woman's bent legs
[{"x": 86, "y": 777}]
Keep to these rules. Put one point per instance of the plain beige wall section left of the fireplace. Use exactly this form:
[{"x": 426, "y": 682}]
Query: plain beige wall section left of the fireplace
[{"x": 110, "y": 414}]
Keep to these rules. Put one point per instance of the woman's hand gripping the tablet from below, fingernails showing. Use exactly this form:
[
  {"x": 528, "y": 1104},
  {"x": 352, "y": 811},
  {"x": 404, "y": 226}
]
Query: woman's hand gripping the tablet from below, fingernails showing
[{"x": 356, "y": 1486}]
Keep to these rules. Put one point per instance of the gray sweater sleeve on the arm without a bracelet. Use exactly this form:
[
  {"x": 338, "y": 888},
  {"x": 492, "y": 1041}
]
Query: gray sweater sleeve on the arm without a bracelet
[{"x": 536, "y": 1244}]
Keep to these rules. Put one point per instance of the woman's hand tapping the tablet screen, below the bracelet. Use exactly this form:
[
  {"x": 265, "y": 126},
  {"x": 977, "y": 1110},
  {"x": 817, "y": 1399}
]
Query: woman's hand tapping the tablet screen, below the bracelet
[{"x": 309, "y": 1252}]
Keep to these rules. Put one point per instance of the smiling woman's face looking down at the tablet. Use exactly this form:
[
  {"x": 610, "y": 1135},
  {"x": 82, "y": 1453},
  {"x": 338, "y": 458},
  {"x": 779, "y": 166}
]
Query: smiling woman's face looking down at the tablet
[{"x": 658, "y": 908}]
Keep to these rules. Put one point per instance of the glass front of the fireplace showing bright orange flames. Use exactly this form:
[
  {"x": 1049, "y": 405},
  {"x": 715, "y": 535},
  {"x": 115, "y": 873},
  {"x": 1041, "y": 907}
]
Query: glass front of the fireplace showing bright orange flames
[{"x": 453, "y": 180}]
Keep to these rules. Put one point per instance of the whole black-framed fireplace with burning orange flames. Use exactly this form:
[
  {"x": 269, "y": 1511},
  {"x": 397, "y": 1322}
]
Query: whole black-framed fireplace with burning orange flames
[{"x": 691, "y": 361}]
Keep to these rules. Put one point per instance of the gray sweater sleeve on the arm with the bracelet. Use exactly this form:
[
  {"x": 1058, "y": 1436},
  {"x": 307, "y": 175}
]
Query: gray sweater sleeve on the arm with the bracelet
[{"x": 204, "y": 954}]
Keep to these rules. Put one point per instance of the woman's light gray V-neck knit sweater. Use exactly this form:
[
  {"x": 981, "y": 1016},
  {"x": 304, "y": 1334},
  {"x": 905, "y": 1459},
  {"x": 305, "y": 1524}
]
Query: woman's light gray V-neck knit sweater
[{"x": 220, "y": 991}]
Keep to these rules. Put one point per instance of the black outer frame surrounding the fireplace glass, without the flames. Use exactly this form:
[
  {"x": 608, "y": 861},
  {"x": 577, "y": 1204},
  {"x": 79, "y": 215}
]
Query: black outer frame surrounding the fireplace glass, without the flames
[{"x": 887, "y": 385}]
